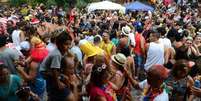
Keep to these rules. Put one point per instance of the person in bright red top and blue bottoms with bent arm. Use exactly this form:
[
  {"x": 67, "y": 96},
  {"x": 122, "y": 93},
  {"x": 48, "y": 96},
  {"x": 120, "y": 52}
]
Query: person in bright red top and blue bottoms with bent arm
[{"x": 33, "y": 77}]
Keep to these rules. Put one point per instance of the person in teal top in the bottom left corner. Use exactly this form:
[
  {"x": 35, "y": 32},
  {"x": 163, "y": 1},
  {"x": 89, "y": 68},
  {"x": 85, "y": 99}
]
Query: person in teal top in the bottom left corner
[{"x": 9, "y": 84}]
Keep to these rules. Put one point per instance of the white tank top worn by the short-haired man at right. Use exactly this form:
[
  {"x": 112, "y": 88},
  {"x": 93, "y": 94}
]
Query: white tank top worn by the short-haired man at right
[{"x": 155, "y": 55}]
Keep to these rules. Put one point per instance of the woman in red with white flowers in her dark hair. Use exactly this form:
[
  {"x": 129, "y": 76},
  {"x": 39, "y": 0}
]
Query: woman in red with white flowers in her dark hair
[{"x": 98, "y": 86}]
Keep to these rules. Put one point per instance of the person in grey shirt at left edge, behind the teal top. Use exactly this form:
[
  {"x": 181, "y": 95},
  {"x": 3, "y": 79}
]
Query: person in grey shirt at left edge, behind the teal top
[{"x": 8, "y": 56}]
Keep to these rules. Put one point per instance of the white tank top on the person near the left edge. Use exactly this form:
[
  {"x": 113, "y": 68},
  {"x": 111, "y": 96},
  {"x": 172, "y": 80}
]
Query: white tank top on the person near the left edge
[{"x": 16, "y": 37}]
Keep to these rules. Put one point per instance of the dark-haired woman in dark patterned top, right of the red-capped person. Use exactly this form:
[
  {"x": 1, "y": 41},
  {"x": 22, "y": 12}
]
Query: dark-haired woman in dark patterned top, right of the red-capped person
[{"x": 179, "y": 81}]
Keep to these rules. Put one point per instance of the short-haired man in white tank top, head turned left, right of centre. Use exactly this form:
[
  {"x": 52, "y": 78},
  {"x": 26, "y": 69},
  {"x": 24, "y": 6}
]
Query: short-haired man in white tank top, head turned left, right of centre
[{"x": 155, "y": 50}]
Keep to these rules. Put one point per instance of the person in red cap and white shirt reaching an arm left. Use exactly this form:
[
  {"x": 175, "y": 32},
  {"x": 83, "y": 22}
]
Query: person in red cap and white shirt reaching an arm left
[{"x": 153, "y": 87}]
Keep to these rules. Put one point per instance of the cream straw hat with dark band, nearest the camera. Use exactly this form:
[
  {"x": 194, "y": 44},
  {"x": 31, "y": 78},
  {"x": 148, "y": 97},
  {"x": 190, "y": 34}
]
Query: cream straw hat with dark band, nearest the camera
[{"x": 119, "y": 59}]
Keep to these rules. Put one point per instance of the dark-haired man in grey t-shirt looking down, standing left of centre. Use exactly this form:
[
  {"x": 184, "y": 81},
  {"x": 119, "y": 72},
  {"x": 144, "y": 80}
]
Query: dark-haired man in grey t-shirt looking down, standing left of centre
[{"x": 51, "y": 67}]
